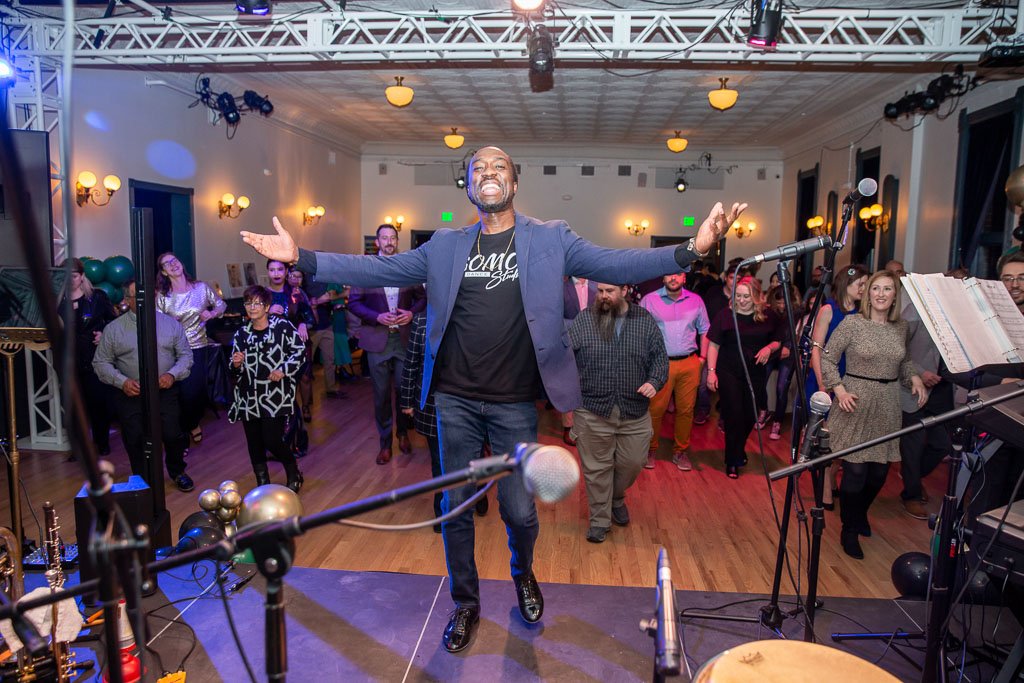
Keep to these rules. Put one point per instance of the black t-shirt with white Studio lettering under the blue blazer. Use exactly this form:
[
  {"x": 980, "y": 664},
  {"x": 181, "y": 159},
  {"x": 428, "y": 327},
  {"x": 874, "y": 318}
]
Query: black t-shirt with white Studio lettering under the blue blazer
[{"x": 487, "y": 353}]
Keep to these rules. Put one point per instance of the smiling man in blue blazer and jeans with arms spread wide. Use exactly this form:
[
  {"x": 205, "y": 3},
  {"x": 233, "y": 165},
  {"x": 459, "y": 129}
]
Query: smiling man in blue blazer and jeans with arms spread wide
[{"x": 495, "y": 343}]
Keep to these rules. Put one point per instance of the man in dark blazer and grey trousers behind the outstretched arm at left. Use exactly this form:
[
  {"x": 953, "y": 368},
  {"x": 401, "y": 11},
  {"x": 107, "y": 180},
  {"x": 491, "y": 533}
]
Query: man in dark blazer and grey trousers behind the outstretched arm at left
[{"x": 386, "y": 314}]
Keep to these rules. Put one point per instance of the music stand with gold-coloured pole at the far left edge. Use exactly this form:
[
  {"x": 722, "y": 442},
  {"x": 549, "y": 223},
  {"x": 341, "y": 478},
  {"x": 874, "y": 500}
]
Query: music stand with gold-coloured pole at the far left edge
[{"x": 21, "y": 325}]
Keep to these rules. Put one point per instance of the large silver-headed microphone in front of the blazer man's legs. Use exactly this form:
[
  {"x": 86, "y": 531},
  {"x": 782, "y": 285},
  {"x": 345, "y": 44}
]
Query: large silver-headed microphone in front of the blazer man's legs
[{"x": 550, "y": 473}]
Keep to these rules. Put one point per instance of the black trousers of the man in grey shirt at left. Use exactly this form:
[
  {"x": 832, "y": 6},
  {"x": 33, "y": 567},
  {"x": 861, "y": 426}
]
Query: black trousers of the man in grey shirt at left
[{"x": 130, "y": 411}]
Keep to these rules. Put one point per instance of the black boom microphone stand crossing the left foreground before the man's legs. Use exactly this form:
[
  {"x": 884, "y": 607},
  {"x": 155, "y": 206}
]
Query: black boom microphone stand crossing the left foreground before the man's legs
[{"x": 273, "y": 544}]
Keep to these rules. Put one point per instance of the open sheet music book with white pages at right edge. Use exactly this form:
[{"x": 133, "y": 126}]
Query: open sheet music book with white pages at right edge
[{"x": 973, "y": 322}]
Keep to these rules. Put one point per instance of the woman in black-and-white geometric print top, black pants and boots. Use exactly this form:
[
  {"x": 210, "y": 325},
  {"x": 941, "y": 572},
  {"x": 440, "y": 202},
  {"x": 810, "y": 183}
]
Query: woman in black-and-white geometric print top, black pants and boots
[{"x": 267, "y": 357}]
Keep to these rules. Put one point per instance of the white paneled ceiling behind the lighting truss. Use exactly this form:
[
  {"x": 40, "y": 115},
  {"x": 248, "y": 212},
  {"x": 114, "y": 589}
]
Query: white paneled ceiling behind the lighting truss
[{"x": 587, "y": 105}]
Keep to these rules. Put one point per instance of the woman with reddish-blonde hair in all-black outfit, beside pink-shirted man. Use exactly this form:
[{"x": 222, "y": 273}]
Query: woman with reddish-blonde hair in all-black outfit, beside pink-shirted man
[{"x": 761, "y": 334}]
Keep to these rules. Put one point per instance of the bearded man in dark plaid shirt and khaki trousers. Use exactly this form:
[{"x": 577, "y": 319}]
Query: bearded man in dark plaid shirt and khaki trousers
[{"x": 620, "y": 354}]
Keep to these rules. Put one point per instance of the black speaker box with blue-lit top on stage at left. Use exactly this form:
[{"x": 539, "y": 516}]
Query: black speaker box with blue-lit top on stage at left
[{"x": 136, "y": 500}]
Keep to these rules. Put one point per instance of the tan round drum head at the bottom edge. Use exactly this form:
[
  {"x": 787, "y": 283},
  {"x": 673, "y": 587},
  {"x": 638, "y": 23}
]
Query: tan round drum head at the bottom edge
[{"x": 790, "y": 662}]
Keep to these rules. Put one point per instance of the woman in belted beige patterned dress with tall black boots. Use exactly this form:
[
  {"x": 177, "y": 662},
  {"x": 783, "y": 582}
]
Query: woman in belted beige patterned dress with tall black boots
[{"x": 868, "y": 398}]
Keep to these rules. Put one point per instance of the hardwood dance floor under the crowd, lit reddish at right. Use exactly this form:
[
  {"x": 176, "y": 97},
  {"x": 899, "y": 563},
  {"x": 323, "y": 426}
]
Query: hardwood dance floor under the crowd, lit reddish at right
[{"x": 720, "y": 534}]
